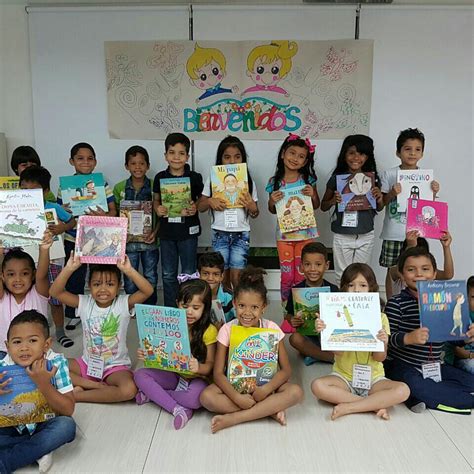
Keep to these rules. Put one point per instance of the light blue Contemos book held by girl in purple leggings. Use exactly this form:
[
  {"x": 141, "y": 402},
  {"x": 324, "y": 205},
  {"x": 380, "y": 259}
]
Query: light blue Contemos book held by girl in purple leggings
[{"x": 163, "y": 335}]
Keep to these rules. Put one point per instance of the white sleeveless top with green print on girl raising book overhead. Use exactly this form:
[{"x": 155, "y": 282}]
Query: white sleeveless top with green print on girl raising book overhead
[{"x": 105, "y": 330}]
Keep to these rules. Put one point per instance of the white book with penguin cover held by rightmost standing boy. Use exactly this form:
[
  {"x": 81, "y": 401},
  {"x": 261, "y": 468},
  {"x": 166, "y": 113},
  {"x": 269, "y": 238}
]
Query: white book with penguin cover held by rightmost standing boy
[{"x": 416, "y": 184}]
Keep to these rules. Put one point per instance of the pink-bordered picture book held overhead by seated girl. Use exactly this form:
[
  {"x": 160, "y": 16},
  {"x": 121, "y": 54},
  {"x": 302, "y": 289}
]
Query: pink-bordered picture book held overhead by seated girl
[{"x": 101, "y": 239}]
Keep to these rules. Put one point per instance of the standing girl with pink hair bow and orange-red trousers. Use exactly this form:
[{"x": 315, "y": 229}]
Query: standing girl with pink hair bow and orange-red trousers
[{"x": 295, "y": 167}]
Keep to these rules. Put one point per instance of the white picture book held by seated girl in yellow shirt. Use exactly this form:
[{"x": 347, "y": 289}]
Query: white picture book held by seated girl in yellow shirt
[{"x": 352, "y": 322}]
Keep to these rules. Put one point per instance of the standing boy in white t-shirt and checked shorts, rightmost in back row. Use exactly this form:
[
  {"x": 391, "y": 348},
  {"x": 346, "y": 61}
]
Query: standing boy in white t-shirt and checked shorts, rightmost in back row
[{"x": 410, "y": 148}]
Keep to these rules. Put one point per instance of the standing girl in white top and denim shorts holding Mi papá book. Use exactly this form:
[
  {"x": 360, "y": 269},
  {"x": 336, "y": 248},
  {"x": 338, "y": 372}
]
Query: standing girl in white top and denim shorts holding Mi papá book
[{"x": 231, "y": 227}]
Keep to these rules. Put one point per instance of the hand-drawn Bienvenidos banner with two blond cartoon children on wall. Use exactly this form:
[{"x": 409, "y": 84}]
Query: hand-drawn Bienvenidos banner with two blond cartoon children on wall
[{"x": 257, "y": 89}]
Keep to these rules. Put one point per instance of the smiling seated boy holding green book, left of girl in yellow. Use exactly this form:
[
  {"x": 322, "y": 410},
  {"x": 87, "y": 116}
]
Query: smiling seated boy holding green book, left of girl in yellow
[{"x": 314, "y": 263}]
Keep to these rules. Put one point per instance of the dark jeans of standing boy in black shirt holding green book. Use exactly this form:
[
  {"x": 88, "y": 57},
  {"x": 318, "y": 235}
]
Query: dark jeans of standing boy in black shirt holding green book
[{"x": 171, "y": 251}]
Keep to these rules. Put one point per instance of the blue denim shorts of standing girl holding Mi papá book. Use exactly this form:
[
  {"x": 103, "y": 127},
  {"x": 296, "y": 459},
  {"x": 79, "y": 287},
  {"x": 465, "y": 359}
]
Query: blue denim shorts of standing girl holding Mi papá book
[{"x": 234, "y": 247}]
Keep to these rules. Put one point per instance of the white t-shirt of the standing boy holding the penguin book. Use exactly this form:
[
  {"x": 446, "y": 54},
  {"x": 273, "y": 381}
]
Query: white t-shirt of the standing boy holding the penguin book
[{"x": 394, "y": 224}]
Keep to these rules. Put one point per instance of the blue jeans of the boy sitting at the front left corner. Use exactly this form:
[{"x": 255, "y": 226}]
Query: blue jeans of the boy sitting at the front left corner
[{"x": 20, "y": 449}]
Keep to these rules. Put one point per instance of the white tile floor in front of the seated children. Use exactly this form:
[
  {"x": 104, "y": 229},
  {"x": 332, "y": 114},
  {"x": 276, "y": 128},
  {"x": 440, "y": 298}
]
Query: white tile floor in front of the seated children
[{"x": 129, "y": 438}]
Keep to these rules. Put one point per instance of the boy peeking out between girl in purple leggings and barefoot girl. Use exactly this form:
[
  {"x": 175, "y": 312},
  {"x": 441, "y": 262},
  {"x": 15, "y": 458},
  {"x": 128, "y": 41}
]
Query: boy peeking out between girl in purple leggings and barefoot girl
[{"x": 211, "y": 269}]
